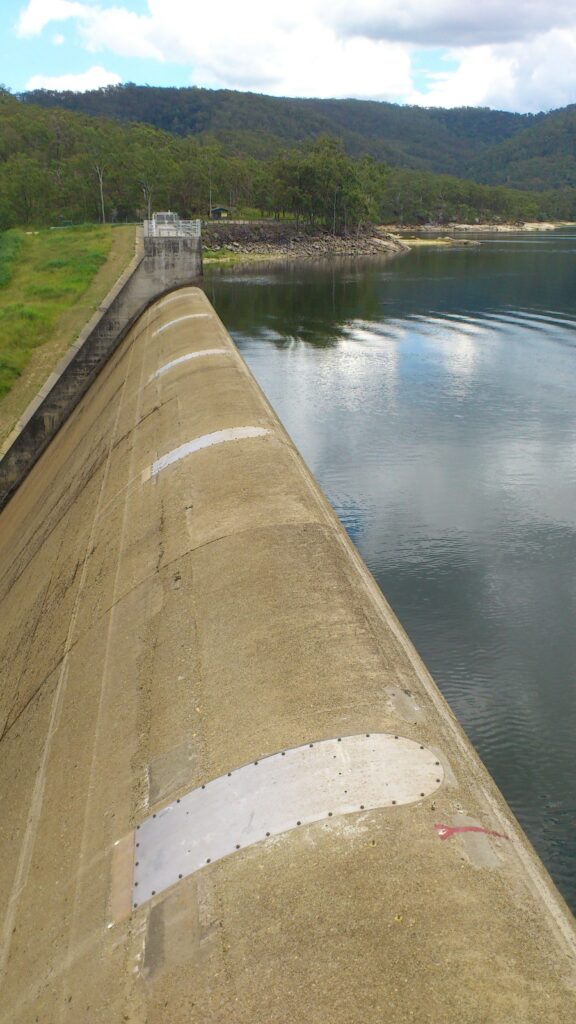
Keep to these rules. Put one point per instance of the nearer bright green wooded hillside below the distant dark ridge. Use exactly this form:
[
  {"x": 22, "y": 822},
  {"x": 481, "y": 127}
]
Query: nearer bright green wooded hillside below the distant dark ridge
[{"x": 63, "y": 167}]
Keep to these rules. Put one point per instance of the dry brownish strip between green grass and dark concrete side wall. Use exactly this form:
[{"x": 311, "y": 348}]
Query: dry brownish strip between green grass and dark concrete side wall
[{"x": 45, "y": 359}]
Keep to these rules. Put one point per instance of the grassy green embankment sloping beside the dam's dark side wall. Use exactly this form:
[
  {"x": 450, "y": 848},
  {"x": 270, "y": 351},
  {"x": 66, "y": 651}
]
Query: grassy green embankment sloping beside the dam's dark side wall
[{"x": 51, "y": 284}]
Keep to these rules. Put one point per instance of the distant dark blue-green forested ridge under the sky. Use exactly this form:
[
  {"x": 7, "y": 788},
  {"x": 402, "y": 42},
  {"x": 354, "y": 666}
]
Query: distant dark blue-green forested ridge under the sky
[{"x": 522, "y": 151}]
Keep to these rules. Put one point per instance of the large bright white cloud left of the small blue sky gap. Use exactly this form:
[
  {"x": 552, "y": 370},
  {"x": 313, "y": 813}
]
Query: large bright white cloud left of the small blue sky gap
[{"x": 284, "y": 51}]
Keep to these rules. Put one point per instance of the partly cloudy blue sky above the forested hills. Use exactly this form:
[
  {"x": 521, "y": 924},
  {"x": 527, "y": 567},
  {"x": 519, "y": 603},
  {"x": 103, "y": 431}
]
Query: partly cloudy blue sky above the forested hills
[{"x": 510, "y": 56}]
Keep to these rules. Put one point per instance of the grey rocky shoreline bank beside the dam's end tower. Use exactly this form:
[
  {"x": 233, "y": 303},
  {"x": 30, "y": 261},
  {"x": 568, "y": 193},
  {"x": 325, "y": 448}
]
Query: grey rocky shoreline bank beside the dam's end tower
[{"x": 286, "y": 241}]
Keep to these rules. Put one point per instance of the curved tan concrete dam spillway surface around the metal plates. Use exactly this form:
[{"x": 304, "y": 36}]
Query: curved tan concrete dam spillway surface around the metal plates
[{"x": 160, "y": 630}]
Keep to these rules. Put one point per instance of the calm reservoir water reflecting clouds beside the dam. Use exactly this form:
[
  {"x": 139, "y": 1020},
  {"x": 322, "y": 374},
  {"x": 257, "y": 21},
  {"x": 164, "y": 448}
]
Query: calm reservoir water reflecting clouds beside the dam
[{"x": 434, "y": 397}]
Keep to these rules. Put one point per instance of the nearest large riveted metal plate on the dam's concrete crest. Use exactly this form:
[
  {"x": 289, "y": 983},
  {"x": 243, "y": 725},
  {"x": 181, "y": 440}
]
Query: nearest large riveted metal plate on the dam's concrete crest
[{"x": 276, "y": 795}]
